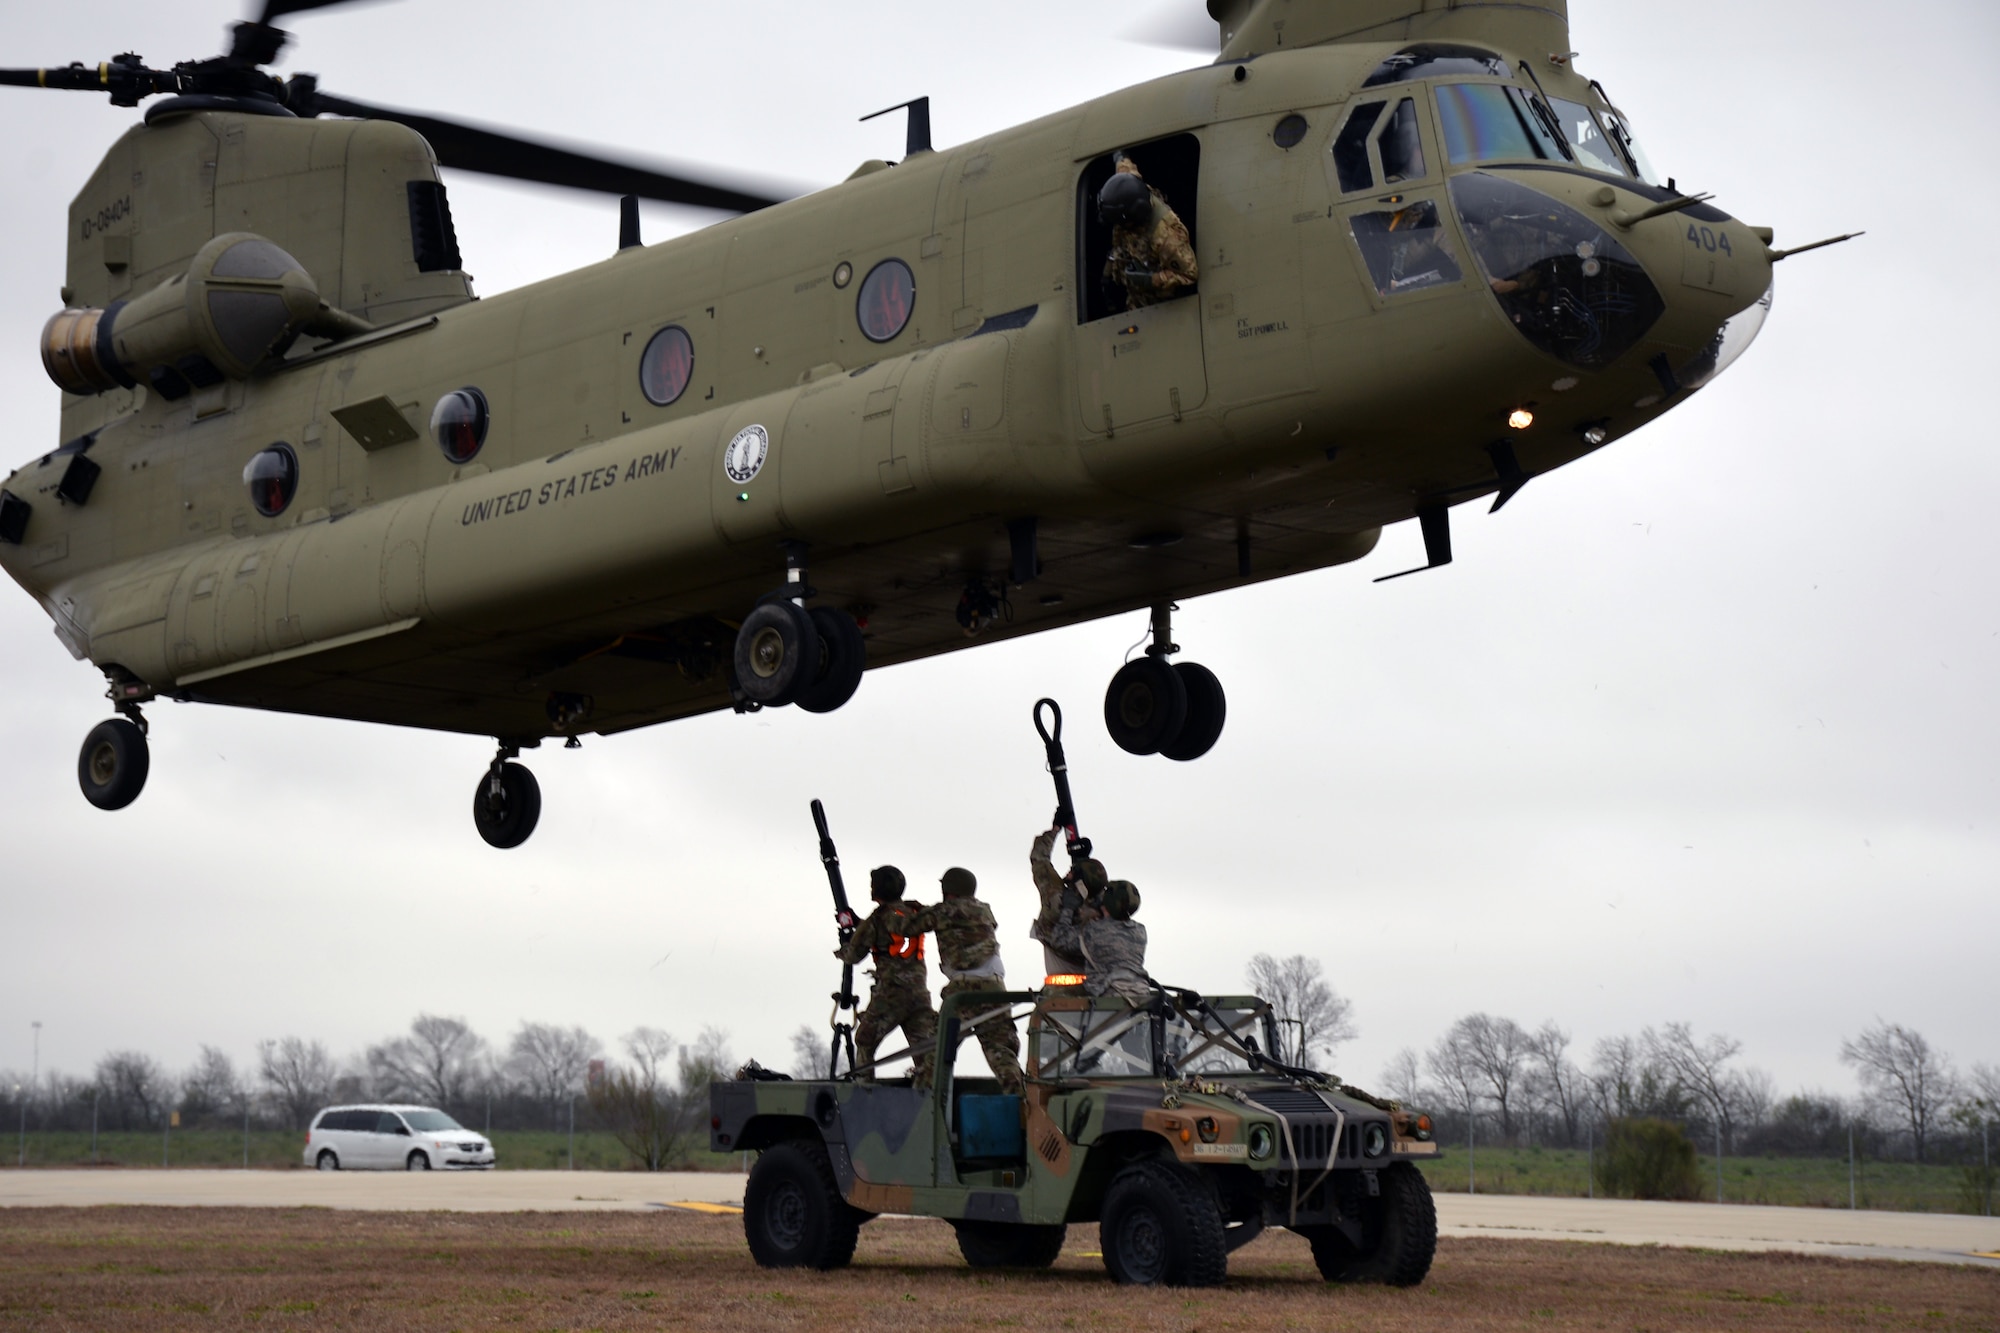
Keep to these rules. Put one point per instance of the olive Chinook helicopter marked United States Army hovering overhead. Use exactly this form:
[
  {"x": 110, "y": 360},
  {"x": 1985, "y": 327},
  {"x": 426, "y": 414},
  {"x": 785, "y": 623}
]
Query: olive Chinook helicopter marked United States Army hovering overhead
[{"x": 305, "y": 469}]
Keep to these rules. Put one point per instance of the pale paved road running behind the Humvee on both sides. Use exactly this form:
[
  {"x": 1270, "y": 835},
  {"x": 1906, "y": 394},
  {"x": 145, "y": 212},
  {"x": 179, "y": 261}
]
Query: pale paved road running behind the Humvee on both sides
[{"x": 1617, "y": 1222}]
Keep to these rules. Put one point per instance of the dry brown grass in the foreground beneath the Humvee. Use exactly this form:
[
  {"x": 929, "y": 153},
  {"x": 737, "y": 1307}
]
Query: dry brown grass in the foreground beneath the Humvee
[{"x": 321, "y": 1270}]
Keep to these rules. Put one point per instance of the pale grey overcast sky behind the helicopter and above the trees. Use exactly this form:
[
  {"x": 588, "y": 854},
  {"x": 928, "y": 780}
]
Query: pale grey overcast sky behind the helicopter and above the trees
[{"x": 1701, "y": 728}]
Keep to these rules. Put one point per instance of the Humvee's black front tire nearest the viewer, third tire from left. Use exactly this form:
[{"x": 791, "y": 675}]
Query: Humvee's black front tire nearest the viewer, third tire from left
[{"x": 1163, "y": 1226}]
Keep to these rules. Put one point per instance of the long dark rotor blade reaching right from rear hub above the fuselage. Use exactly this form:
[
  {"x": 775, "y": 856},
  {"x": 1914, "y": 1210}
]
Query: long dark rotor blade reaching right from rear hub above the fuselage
[{"x": 495, "y": 153}]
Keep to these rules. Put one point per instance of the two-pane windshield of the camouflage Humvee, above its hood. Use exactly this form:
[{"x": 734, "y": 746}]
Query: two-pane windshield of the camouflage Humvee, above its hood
[{"x": 1137, "y": 1044}]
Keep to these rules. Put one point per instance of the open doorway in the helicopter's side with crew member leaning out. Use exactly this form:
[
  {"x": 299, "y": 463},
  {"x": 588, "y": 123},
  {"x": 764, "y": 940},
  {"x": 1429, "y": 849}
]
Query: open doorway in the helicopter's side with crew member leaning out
[{"x": 1137, "y": 243}]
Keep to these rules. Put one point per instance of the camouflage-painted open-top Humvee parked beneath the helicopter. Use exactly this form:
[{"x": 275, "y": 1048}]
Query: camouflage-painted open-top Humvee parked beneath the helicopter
[{"x": 1167, "y": 1124}]
